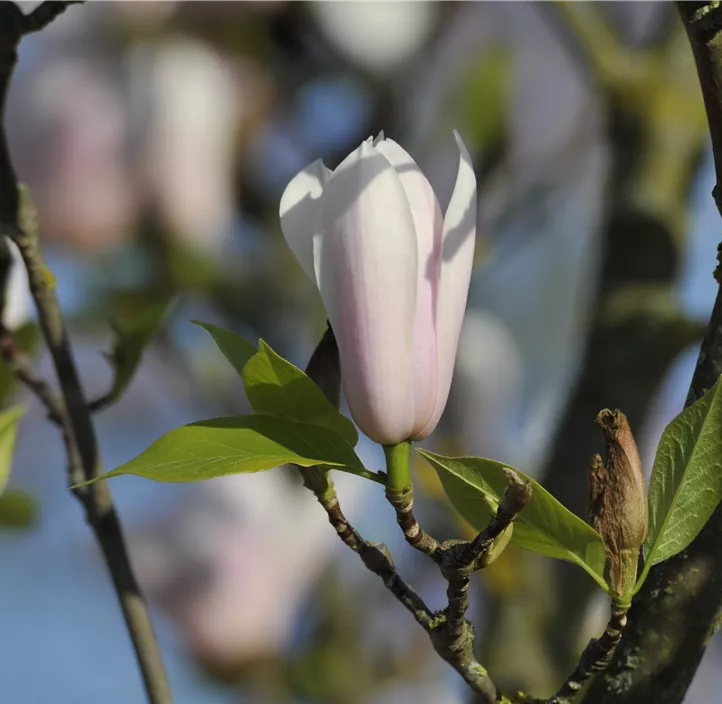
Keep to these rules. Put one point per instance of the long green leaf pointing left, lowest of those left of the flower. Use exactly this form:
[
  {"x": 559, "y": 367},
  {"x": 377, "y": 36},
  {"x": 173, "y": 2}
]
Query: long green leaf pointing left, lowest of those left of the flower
[{"x": 239, "y": 444}]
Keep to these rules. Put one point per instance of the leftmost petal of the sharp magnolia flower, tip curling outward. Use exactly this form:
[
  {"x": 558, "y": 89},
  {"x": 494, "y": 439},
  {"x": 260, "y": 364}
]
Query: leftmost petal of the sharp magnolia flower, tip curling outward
[{"x": 300, "y": 212}]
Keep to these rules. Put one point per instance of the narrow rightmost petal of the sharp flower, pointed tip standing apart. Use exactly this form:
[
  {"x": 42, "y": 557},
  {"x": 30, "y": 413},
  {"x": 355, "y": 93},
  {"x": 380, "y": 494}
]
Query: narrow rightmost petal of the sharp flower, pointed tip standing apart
[{"x": 457, "y": 256}]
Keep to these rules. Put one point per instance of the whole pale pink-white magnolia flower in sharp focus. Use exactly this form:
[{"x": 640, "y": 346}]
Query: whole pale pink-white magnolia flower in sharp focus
[{"x": 393, "y": 277}]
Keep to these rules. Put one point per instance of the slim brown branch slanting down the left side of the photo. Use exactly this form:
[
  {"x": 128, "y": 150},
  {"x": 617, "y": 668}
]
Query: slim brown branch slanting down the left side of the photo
[{"x": 17, "y": 220}]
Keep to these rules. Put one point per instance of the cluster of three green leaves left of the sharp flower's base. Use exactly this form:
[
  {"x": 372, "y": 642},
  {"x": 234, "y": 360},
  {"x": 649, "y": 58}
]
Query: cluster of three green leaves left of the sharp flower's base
[{"x": 294, "y": 423}]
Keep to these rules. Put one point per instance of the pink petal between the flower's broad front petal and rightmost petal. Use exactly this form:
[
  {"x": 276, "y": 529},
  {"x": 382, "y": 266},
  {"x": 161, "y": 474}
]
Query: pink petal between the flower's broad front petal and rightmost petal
[{"x": 428, "y": 226}]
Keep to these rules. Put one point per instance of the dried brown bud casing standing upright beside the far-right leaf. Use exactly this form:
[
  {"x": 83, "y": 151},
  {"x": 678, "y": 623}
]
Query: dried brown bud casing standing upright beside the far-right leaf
[{"x": 618, "y": 499}]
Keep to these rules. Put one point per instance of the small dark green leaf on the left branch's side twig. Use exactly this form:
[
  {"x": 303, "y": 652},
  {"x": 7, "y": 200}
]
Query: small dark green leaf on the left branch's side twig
[{"x": 131, "y": 339}]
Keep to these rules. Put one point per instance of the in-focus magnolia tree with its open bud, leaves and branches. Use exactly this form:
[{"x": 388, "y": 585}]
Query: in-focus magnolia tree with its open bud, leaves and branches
[{"x": 393, "y": 274}]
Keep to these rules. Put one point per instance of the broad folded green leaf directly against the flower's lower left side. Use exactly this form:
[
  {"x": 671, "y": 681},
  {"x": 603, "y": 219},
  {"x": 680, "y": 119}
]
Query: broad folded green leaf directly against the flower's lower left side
[{"x": 274, "y": 386}]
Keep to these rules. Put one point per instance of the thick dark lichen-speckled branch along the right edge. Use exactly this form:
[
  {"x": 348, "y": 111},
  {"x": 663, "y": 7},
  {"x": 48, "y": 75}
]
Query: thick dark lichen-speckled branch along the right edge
[{"x": 675, "y": 615}]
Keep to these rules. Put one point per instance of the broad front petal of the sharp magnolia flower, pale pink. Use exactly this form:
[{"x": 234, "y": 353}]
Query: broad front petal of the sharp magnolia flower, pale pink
[{"x": 366, "y": 268}]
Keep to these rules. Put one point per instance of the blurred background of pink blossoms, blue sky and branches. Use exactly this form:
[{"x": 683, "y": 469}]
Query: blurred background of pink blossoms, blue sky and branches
[{"x": 157, "y": 137}]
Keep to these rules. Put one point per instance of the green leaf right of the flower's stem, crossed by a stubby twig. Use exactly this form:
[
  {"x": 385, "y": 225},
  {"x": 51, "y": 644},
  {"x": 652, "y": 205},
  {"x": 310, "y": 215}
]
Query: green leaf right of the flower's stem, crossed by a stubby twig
[{"x": 475, "y": 487}]
